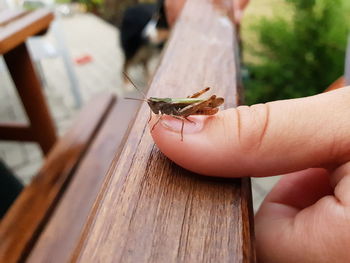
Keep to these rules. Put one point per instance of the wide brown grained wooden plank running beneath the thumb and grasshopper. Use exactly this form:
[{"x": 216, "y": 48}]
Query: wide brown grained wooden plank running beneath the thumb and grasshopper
[{"x": 151, "y": 210}]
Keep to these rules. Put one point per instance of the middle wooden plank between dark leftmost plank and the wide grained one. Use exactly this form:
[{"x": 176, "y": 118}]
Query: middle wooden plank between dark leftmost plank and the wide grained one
[{"x": 62, "y": 233}]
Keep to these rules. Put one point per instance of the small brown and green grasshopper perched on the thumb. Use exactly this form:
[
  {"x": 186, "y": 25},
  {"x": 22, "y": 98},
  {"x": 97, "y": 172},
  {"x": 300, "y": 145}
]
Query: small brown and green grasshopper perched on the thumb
[{"x": 181, "y": 108}]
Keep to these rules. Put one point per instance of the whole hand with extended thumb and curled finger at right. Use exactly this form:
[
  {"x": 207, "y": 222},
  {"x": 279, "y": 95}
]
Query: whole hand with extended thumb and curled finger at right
[{"x": 306, "y": 217}]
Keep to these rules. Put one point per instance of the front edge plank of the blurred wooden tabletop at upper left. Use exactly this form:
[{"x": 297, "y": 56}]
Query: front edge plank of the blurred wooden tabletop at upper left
[{"x": 16, "y": 32}]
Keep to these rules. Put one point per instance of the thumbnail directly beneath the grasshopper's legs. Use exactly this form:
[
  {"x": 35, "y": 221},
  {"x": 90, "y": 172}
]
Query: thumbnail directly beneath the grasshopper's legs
[{"x": 194, "y": 126}]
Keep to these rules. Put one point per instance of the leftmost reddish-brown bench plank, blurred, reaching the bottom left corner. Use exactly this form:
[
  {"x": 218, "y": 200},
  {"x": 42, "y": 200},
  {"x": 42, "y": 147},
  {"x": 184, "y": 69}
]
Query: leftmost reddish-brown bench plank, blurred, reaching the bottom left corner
[{"x": 26, "y": 218}]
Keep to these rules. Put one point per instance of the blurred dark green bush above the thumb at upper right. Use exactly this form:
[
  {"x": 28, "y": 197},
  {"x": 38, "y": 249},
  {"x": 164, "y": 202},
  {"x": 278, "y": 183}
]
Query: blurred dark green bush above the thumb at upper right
[{"x": 299, "y": 55}]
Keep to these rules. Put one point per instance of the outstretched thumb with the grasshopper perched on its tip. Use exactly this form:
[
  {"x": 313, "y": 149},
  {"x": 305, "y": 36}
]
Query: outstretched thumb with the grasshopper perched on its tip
[{"x": 263, "y": 139}]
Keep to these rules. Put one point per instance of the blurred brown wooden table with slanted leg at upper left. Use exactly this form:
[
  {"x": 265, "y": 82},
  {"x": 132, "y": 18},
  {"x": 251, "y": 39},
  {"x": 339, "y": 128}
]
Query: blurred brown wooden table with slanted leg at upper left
[{"x": 15, "y": 28}]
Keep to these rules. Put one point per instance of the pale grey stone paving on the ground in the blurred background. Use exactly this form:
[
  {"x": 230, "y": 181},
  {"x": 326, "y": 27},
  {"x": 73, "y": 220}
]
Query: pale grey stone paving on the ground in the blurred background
[{"x": 85, "y": 35}]
